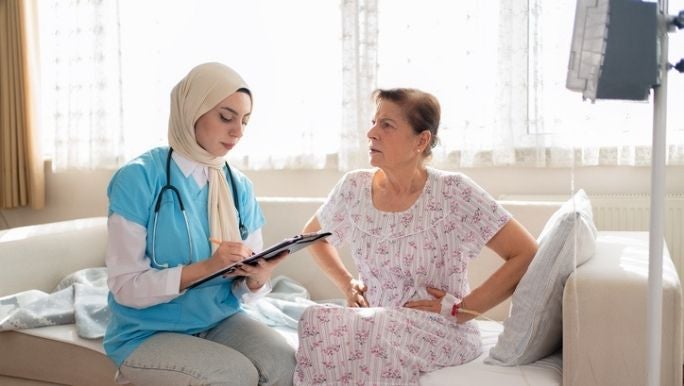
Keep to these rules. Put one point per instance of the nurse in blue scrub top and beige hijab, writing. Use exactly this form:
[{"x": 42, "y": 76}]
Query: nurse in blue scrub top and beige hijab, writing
[{"x": 161, "y": 332}]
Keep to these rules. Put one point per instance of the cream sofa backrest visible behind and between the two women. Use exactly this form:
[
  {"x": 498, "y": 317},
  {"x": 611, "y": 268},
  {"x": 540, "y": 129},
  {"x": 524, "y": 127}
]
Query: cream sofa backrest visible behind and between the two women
[{"x": 39, "y": 256}]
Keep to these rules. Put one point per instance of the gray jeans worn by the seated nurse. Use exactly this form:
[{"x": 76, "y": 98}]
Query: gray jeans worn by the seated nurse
[{"x": 238, "y": 351}]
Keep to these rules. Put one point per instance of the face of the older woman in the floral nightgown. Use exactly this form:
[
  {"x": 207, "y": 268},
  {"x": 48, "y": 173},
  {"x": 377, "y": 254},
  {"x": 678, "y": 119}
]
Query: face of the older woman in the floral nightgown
[{"x": 391, "y": 140}]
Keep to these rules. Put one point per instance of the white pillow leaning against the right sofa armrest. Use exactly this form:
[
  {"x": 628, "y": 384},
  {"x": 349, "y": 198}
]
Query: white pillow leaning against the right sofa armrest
[{"x": 533, "y": 329}]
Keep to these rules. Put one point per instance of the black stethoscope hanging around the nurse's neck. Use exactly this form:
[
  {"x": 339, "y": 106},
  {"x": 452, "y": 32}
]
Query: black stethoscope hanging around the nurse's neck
[{"x": 169, "y": 186}]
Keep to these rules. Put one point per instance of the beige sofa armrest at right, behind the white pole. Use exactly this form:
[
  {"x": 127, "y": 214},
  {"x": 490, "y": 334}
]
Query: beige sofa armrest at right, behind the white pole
[{"x": 605, "y": 318}]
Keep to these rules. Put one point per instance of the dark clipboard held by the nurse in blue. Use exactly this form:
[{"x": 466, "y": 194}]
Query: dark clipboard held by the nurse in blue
[{"x": 292, "y": 245}]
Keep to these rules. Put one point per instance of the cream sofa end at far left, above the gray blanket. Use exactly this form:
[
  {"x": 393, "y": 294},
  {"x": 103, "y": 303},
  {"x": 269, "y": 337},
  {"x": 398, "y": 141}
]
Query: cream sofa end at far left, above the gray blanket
[{"x": 39, "y": 256}]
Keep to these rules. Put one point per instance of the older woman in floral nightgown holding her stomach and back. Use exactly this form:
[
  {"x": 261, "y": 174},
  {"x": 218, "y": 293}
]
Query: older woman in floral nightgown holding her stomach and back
[{"x": 412, "y": 230}]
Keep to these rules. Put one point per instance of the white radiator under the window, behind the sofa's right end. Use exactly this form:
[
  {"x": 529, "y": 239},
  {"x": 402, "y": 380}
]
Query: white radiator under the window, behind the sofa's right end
[{"x": 630, "y": 212}]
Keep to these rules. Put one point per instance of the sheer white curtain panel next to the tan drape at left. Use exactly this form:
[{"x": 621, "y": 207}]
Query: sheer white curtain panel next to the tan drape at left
[{"x": 81, "y": 94}]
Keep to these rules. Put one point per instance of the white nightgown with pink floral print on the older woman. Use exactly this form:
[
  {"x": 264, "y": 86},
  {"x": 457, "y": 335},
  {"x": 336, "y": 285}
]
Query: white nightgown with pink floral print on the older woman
[{"x": 398, "y": 255}]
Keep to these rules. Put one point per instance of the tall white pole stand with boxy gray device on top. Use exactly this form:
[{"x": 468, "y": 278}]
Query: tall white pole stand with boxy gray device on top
[{"x": 620, "y": 51}]
